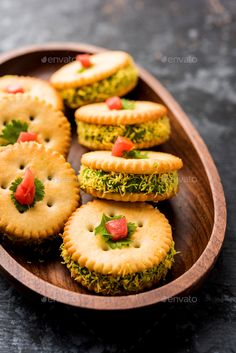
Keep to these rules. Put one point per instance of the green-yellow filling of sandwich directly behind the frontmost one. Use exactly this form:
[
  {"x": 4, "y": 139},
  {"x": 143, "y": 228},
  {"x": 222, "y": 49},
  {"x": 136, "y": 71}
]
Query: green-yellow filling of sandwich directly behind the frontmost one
[{"x": 123, "y": 183}]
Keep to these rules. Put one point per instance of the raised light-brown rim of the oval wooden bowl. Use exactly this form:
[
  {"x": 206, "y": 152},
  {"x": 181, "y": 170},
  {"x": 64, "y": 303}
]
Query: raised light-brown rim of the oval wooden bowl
[{"x": 178, "y": 286}]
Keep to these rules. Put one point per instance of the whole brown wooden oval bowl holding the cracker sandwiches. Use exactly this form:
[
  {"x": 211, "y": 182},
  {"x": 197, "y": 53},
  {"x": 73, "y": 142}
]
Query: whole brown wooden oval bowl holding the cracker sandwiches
[{"x": 197, "y": 214}]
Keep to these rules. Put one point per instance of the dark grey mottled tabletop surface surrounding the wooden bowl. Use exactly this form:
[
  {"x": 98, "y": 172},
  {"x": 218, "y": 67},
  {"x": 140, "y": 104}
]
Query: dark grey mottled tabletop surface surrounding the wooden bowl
[{"x": 189, "y": 47}]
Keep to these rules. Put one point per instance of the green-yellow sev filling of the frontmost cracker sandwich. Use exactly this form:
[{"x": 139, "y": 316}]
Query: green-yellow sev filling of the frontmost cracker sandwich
[{"x": 118, "y": 284}]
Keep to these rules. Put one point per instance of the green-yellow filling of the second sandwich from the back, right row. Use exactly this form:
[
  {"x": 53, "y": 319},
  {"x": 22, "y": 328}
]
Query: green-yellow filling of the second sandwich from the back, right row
[{"x": 156, "y": 130}]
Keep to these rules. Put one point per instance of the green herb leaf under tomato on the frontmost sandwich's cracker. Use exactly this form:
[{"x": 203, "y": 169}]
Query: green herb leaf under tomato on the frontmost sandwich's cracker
[{"x": 118, "y": 244}]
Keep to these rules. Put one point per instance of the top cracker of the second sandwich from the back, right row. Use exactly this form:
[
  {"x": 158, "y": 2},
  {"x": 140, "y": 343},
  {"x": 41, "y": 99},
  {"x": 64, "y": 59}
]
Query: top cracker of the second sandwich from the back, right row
[{"x": 99, "y": 113}]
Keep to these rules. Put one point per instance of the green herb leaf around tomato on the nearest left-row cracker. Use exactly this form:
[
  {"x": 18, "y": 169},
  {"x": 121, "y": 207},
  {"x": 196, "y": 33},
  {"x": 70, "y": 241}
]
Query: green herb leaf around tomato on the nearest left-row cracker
[{"x": 39, "y": 194}]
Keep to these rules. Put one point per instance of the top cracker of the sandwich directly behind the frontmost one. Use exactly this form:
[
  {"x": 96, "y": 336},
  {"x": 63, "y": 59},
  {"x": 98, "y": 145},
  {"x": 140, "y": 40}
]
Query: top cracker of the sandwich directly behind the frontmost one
[{"x": 157, "y": 162}]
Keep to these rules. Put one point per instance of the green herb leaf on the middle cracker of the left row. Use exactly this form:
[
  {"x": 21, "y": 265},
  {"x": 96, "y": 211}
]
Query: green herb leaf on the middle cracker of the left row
[{"x": 11, "y": 131}]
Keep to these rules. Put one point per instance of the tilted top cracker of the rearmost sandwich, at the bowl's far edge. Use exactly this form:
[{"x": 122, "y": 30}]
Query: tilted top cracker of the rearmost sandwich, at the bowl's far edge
[{"x": 104, "y": 65}]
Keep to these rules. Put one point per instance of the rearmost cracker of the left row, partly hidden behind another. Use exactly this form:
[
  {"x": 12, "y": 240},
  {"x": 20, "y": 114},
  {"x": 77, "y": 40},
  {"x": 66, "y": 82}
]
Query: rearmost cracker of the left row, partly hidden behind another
[{"x": 34, "y": 87}]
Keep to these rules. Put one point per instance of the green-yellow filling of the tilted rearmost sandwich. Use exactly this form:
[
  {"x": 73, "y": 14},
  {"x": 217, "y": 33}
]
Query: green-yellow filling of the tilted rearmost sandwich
[{"x": 101, "y": 90}]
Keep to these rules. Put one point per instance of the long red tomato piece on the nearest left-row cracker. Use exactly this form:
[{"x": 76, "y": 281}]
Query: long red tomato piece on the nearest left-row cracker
[{"x": 25, "y": 191}]
